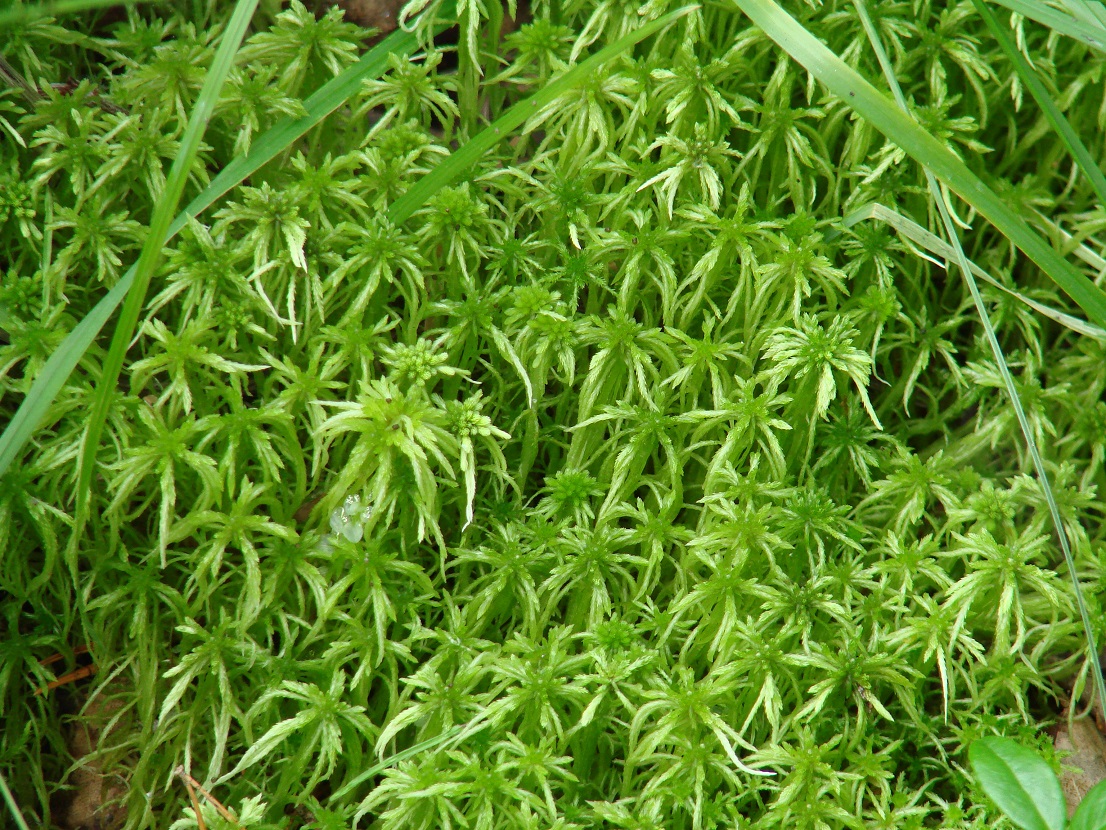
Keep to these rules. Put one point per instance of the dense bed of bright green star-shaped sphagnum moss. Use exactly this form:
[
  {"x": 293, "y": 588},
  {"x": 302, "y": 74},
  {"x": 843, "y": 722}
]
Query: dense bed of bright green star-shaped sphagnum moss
[{"x": 709, "y": 512}]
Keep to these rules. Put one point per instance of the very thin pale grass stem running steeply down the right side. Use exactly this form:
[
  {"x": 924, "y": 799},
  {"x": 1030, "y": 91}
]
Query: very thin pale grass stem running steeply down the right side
[{"x": 1008, "y": 379}]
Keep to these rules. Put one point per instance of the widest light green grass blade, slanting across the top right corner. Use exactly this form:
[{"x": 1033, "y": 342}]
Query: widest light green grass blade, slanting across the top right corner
[{"x": 898, "y": 126}]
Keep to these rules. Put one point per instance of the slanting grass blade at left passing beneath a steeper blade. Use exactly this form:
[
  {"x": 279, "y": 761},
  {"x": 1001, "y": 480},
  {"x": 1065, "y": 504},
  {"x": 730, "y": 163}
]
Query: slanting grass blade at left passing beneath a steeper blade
[{"x": 325, "y": 101}]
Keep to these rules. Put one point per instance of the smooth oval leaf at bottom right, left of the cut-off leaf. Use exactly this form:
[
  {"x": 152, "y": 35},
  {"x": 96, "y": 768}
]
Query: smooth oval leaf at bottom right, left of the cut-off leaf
[{"x": 1020, "y": 783}]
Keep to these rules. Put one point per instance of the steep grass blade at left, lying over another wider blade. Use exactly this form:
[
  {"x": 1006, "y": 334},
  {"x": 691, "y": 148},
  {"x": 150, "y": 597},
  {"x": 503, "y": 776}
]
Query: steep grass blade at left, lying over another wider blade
[{"x": 152, "y": 250}]
